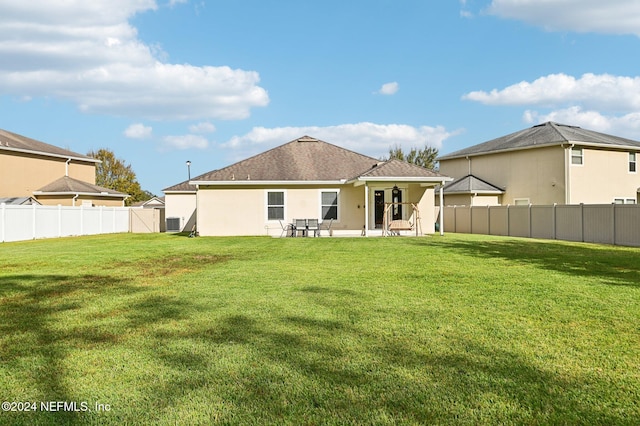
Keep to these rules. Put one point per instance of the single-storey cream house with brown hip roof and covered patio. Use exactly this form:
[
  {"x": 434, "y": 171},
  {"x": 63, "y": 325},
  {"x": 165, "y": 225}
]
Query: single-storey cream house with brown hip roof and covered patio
[{"x": 308, "y": 179}]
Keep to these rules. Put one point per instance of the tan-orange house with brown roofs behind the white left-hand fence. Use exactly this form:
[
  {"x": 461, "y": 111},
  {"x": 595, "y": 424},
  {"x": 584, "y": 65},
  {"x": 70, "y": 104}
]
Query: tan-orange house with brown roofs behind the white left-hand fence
[{"x": 51, "y": 175}]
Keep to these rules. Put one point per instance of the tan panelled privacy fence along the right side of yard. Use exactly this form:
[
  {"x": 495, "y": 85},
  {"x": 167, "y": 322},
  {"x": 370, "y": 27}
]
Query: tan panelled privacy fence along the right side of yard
[{"x": 594, "y": 223}]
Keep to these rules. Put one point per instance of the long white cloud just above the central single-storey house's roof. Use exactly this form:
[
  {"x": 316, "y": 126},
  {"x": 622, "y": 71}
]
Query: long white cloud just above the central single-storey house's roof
[{"x": 366, "y": 138}]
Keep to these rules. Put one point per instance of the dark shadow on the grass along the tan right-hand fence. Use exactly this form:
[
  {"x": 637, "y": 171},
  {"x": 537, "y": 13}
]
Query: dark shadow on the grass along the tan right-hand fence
[{"x": 610, "y": 265}]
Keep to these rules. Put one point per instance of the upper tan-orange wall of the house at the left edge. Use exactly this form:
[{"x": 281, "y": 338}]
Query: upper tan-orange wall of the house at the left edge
[{"x": 21, "y": 174}]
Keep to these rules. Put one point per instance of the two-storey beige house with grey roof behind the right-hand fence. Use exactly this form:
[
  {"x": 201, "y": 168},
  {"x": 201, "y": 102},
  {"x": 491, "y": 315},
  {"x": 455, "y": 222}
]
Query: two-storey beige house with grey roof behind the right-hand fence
[{"x": 546, "y": 164}]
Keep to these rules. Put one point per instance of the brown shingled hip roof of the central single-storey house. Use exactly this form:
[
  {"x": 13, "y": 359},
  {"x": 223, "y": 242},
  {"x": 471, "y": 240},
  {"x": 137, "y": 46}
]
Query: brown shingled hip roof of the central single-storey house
[{"x": 307, "y": 159}]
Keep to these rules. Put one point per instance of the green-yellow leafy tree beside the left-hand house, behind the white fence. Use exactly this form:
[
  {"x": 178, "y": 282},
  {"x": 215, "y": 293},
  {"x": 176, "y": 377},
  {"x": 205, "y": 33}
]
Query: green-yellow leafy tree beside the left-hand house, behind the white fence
[{"x": 114, "y": 173}]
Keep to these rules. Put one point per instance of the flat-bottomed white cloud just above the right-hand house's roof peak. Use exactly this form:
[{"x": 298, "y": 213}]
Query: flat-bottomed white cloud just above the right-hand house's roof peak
[{"x": 602, "y": 91}]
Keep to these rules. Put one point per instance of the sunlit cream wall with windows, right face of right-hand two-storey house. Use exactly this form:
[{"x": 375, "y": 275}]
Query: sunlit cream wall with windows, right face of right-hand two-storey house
[{"x": 603, "y": 176}]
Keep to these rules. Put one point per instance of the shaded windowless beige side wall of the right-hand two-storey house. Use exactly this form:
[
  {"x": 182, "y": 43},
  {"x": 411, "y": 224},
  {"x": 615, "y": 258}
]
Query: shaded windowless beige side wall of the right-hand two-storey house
[{"x": 536, "y": 175}]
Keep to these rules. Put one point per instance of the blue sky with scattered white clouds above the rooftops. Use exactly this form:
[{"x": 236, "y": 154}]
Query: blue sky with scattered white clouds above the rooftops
[{"x": 161, "y": 82}]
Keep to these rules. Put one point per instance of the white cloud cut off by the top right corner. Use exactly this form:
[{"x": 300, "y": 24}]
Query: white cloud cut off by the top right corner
[{"x": 611, "y": 16}]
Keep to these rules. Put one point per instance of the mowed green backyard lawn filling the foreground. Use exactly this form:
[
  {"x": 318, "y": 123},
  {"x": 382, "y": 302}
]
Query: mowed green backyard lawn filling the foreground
[{"x": 459, "y": 329}]
